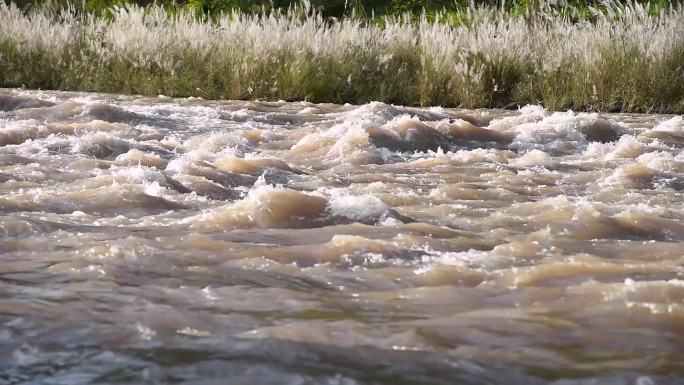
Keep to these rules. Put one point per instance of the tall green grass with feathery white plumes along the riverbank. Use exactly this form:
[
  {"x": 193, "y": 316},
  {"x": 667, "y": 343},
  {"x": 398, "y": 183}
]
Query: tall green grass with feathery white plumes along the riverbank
[{"x": 624, "y": 58}]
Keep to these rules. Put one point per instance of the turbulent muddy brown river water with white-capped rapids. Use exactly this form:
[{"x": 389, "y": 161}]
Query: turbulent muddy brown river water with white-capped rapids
[{"x": 157, "y": 240}]
